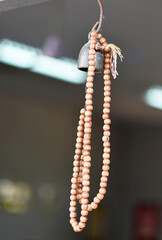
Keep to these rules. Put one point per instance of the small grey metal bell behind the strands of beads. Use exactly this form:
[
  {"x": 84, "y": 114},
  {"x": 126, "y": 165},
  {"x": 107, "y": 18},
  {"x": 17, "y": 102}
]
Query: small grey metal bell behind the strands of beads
[{"x": 83, "y": 61}]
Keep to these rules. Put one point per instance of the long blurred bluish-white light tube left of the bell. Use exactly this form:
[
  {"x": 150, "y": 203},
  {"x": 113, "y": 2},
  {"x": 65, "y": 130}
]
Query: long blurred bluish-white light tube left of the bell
[{"x": 26, "y": 57}]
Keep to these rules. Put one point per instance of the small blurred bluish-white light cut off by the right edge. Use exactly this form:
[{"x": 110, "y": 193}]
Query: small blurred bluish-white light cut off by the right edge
[{"x": 153, "y": 97}]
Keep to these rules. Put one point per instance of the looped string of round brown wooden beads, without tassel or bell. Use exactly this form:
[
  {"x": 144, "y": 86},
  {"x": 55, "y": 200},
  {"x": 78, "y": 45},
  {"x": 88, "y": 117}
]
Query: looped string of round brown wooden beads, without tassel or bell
[{"x": 80, "y": 182}]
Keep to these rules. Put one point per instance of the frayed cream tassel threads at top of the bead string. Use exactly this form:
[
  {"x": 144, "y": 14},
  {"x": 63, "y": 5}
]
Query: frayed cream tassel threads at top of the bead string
[{"x": 115, "y": 52}]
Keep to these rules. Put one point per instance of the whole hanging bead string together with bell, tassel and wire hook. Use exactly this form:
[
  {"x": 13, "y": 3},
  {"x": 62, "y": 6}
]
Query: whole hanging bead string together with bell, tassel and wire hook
[{"x": 95, "y": 56}]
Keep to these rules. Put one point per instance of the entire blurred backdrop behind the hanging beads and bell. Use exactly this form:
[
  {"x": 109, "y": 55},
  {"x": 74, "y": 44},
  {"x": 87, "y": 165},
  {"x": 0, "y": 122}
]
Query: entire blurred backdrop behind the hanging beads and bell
[{"x": 41, "y": 93}]
